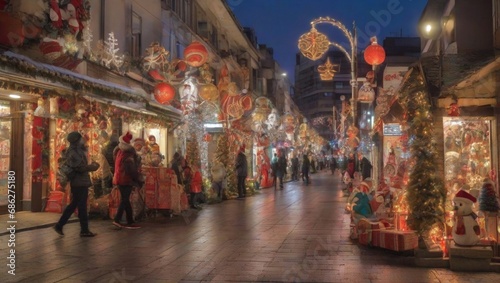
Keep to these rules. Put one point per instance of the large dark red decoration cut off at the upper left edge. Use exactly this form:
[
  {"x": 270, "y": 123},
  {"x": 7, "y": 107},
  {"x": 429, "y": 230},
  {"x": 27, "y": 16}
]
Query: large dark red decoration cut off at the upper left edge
[{"x": 11, "y": 30}]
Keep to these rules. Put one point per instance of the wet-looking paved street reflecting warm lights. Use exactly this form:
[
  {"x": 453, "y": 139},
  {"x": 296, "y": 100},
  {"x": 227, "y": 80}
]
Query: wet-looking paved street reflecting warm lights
[{"x": 299, "y": 234}]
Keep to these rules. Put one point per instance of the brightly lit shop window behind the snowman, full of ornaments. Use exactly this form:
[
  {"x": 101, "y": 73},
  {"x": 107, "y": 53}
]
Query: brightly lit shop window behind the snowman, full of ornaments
[{"x": 467, "y": 152}]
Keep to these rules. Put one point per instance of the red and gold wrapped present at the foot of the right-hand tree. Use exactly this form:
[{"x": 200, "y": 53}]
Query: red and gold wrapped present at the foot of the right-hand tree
[{"x": 398, "y": 240}]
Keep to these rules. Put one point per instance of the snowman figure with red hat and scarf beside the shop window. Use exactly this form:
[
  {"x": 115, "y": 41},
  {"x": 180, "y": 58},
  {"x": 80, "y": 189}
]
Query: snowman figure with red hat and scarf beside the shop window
[{"x": 466, "y": 229}]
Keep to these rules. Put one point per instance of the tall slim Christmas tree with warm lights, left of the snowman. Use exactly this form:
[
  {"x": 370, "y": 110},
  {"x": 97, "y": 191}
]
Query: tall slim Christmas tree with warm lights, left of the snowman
[{"x": 426, "y": 194}]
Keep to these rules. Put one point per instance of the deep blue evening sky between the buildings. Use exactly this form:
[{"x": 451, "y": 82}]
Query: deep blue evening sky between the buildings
[{"x": 279, "y": 23}]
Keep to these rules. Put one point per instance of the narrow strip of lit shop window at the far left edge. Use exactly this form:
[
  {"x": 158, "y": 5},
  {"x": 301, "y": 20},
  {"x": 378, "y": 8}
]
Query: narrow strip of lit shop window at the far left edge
[{"x": 5, "y": 130}]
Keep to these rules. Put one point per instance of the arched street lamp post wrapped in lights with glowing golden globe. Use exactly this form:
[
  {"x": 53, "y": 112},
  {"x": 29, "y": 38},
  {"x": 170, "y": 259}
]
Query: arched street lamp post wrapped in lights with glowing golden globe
[{"x": 313, "y": 45}]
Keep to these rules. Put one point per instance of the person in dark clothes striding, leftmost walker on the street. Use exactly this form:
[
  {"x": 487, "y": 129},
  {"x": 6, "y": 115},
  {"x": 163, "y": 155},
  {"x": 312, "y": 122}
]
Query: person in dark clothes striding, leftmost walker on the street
[{"x": 76, "y": 159}]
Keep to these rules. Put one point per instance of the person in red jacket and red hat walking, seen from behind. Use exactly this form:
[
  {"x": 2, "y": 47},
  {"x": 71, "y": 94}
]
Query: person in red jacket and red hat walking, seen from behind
[{"x": 127, "y": 176}]
